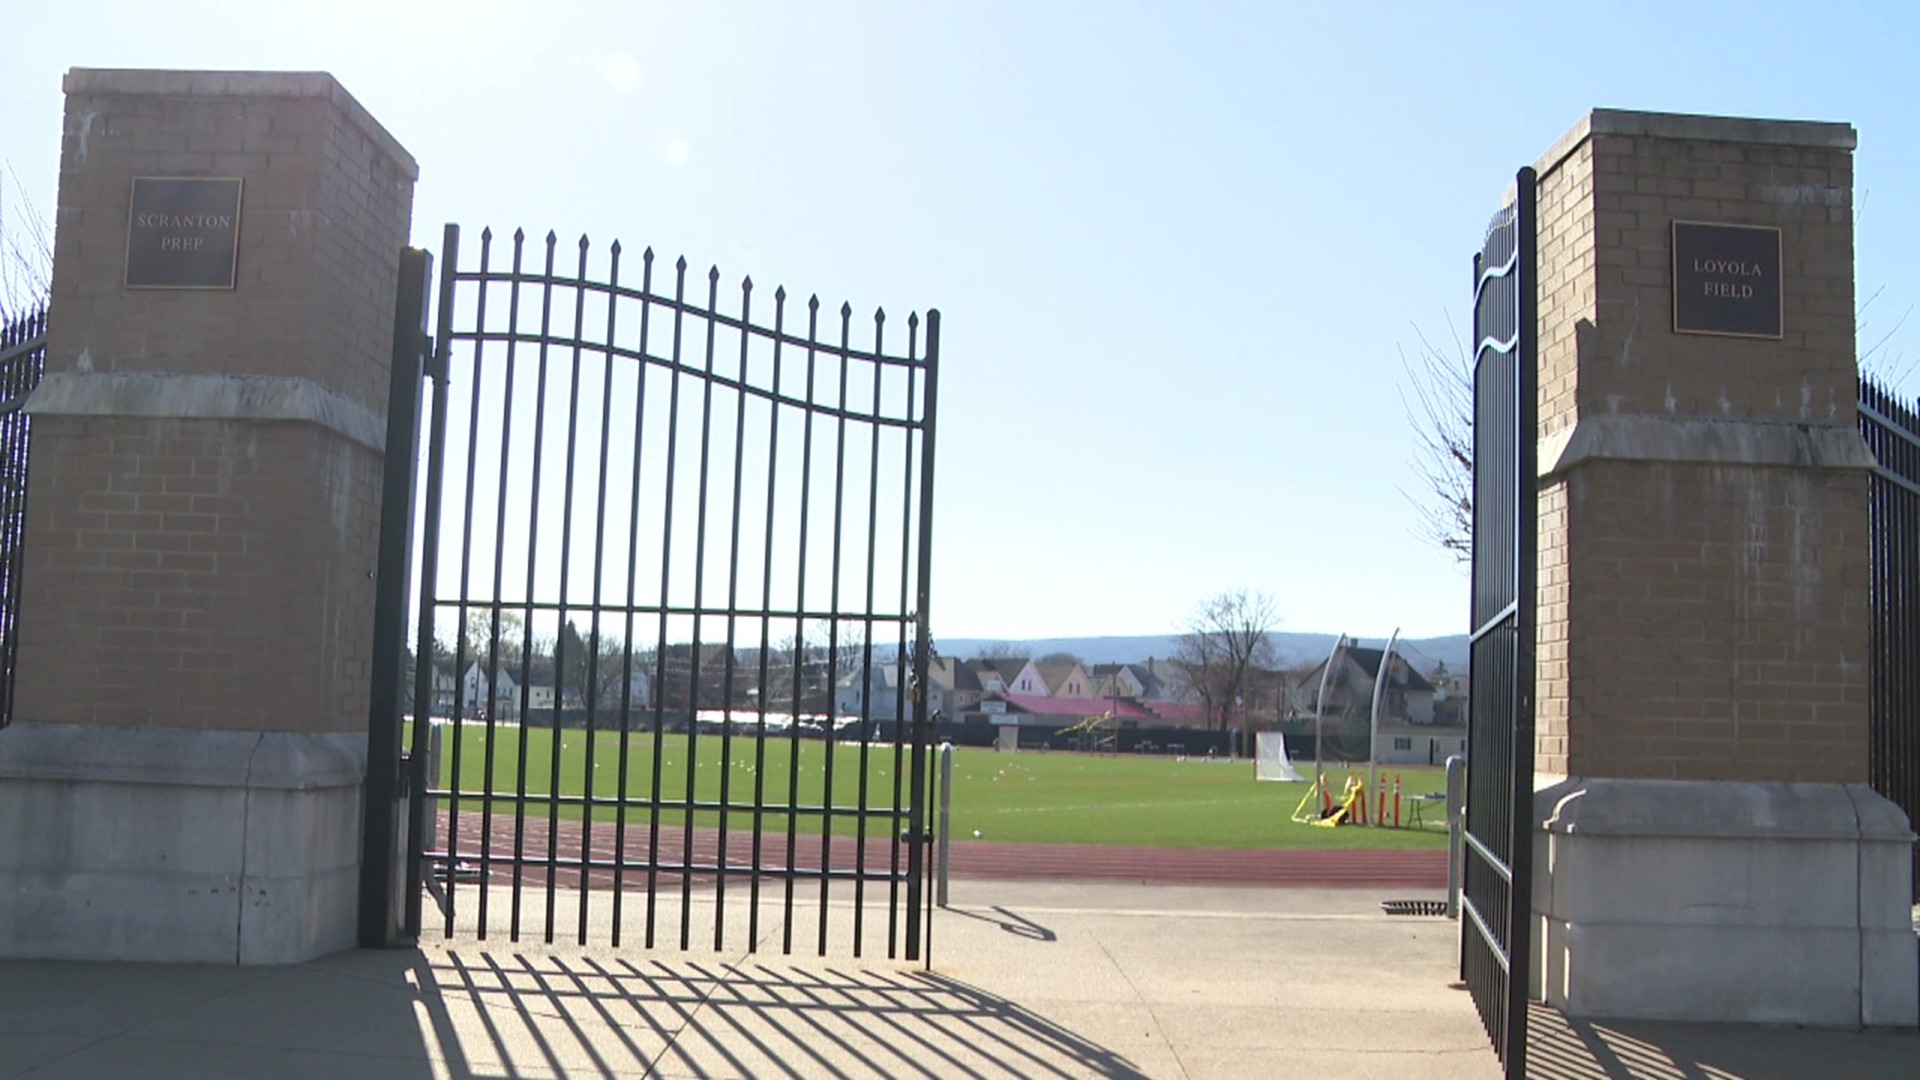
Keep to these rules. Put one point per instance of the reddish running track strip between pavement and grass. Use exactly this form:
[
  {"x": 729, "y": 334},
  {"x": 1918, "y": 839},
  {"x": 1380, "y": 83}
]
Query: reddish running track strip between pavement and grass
[{"x": 971, "y": 858}]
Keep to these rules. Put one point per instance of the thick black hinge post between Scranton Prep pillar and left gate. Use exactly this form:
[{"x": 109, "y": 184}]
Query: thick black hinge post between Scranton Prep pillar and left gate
[{"x": 381, "y": 795}]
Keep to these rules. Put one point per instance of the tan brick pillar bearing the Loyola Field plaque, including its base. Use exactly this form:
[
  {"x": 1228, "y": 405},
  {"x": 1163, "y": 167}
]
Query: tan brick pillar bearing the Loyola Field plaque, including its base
[{"x": 1704, "y": 585}]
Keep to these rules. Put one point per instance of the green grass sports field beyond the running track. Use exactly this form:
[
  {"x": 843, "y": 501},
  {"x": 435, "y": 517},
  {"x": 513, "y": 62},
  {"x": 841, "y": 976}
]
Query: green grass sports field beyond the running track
[{"x": 1026, "y": 798}]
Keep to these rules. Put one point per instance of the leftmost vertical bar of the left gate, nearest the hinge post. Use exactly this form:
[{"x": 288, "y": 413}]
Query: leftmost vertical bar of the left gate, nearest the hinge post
[{"x": 437, "y": 456}]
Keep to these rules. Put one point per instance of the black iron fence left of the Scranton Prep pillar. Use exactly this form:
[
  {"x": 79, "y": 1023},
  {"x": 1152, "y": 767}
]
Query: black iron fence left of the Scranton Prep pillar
[{"x": 22, "y": 364}]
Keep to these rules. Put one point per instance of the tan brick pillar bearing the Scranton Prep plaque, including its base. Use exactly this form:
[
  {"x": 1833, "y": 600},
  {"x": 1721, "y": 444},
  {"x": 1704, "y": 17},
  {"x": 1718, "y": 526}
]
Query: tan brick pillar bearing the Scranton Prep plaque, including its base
[{"x": 203, "y": 529}]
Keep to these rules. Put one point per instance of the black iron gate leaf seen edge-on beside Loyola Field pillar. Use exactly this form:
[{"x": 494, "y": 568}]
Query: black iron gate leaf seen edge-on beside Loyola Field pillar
[{"x": 1500, "y": 737}]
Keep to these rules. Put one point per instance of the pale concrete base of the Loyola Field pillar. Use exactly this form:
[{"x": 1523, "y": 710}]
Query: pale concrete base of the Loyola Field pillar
[{"x": 1735, "y": 902}]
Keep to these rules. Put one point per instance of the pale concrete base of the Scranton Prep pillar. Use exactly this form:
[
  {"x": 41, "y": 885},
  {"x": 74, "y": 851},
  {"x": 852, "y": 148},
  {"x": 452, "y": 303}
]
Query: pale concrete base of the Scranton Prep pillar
[{"x": 178, "y": 847}]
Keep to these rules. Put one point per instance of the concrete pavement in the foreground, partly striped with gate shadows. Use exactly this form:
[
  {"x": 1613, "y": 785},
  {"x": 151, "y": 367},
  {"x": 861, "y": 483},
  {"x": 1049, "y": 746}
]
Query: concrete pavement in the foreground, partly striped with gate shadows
[{"x": 1030, "y": 979}]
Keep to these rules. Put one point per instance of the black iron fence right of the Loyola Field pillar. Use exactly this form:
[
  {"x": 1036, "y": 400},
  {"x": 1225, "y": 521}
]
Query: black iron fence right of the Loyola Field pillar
[{"x": 1892, "y": 431}]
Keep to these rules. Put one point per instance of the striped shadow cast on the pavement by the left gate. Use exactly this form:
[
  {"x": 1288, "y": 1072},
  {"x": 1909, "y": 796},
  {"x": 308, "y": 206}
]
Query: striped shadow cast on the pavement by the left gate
[{"x": 508, "y": 1012}]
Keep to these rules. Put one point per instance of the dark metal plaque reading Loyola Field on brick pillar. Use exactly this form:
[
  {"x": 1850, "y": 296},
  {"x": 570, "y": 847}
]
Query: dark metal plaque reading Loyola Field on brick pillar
[{"x": 1727, "y": 280}]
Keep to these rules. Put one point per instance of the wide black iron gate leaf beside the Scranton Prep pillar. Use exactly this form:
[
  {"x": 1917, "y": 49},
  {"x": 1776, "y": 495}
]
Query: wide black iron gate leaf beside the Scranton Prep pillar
[{"x": 673, "y": 608}]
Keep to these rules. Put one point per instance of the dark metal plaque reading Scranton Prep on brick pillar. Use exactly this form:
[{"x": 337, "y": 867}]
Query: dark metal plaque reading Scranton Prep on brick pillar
[{"x": 183, "y": 233}]
